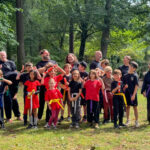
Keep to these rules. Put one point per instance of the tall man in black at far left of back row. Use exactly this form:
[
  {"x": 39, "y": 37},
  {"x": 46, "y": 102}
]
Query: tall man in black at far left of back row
[{"x": 10, "y": 100}]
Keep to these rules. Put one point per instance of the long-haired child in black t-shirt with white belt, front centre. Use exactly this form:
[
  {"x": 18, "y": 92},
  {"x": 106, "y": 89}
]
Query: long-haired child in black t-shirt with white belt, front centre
[{"x": 75, "y": 89}]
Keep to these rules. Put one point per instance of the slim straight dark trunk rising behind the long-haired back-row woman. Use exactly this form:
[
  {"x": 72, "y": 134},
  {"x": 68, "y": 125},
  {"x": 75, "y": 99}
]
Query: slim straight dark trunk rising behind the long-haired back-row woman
[{"x": 71, "y": 36}]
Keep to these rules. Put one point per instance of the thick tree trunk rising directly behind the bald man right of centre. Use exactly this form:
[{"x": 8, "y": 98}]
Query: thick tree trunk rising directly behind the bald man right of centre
[{"x": 106, "y": 30}]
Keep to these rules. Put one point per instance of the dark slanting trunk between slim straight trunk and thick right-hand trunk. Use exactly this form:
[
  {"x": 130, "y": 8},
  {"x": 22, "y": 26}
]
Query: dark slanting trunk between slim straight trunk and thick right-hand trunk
[{"x": 83, "y": 40}]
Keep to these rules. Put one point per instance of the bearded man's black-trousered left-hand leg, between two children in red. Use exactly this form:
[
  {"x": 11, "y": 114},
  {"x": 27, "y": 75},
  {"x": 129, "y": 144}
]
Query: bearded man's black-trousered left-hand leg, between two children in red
[{"x": 41, "y": 102}]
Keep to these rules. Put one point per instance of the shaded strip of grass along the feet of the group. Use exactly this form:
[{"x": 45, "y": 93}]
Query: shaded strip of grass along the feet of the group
[{"x": 18, "y": 128}]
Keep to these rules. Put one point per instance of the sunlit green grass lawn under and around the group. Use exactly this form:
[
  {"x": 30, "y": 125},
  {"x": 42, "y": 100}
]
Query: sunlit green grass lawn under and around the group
[{"x": 16, "y": 137}]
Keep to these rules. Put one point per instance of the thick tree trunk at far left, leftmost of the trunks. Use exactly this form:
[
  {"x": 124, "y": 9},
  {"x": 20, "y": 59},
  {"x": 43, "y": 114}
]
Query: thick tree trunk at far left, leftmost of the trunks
[{"x": 20, "y": 35}]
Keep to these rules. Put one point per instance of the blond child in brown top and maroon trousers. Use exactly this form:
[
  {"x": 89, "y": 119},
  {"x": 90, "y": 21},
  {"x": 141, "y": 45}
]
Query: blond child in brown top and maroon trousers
[{"x": 108, "y": 104}]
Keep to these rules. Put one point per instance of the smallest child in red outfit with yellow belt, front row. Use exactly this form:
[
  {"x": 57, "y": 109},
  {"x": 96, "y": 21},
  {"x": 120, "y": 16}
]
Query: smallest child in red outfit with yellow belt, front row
[{"x": 53, "y": 98}]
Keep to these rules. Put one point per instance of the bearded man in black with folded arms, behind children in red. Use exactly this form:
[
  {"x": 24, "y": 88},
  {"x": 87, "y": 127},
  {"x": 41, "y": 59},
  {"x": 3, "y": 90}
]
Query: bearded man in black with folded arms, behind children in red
[{"x": 42, "y": 67}]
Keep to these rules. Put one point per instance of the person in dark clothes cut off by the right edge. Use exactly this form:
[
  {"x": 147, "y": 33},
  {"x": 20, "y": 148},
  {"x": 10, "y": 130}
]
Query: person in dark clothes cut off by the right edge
[{"x": 146, "y": 91}]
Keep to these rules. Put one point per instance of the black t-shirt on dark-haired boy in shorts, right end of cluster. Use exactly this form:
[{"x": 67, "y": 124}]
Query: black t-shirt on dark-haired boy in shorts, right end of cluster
[{"x": 131, "y": 80}]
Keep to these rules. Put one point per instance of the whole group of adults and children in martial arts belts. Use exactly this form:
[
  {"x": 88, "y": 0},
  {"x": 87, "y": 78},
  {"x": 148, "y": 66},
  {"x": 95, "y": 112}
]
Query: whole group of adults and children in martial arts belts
[{"x": 113, "y": 90}]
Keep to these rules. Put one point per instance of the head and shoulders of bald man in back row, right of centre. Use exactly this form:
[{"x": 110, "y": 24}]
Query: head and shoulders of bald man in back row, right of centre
[{"x": 96, "y": 63}]
